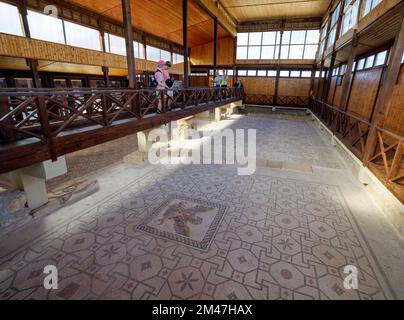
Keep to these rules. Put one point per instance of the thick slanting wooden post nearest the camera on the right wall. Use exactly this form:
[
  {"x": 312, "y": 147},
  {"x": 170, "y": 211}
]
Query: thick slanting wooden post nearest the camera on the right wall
[{"x": 386, "y": 92}]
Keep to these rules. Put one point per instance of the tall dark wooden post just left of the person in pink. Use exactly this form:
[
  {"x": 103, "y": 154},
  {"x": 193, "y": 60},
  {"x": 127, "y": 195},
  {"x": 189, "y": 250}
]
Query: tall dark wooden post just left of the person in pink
[{"x": 128, "y": 32}]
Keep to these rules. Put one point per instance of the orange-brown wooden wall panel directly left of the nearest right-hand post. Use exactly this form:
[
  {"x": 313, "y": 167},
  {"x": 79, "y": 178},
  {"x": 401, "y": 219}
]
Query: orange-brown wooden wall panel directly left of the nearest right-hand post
[{"x": 364, "y": 92}]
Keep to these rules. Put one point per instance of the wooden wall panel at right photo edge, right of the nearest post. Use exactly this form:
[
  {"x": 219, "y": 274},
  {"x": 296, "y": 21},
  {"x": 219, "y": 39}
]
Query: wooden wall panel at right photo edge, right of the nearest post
[{"x": 395, "y": 117}]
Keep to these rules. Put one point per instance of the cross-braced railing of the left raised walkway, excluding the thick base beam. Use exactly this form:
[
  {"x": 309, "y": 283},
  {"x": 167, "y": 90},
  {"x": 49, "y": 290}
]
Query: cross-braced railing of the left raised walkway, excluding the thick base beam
[{"x": 46, "y": 113}]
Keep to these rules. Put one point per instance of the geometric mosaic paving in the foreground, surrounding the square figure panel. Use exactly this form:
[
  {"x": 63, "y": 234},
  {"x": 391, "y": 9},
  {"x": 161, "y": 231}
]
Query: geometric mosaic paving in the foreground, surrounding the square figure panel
[{"x": 279, "y": 239}]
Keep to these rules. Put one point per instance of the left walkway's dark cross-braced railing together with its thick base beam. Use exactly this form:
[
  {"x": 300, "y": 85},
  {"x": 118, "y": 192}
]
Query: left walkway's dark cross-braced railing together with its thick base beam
[{"x": 41, "y": 124}]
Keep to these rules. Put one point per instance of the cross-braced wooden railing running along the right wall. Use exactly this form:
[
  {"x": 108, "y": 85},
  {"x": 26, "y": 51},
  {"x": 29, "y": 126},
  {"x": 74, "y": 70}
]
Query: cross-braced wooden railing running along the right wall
[{"x": 385, "y": 158}]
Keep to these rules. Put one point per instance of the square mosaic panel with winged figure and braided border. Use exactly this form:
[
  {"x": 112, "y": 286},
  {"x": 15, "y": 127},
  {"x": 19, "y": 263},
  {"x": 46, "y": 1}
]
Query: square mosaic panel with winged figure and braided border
[{"x": 192, "y": 222}]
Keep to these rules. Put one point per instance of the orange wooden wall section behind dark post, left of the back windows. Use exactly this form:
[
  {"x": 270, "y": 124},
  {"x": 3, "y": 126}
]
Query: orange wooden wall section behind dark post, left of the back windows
[{"x": 203, "y": 55}]
